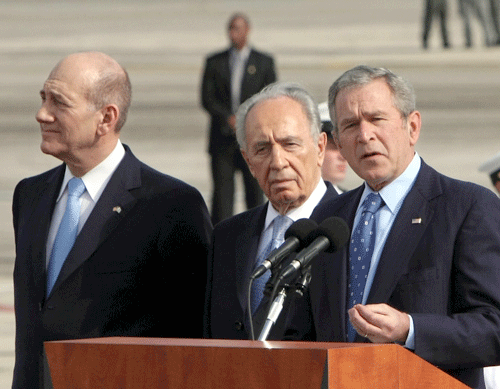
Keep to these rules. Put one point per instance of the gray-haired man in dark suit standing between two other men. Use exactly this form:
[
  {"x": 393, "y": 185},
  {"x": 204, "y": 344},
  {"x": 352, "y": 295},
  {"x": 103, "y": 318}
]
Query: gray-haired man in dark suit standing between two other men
[{"x": 278, "y": 131}]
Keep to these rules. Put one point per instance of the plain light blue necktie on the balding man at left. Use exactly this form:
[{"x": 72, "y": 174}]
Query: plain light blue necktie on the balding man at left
[{"x": 66, "y": 234}]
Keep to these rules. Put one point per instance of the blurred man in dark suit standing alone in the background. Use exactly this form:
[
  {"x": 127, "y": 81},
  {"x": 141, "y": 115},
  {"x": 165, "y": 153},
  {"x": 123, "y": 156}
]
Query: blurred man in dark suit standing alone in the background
[{"x": 231, "y": 77}]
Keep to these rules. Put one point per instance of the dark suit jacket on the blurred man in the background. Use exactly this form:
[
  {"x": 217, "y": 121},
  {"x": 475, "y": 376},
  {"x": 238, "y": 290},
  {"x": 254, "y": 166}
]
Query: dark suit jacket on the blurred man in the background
[{"x": 216, "y": 92}]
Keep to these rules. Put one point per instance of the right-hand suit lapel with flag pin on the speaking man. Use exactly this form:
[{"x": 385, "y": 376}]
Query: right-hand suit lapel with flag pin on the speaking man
[{"x": 411, "y": 222}]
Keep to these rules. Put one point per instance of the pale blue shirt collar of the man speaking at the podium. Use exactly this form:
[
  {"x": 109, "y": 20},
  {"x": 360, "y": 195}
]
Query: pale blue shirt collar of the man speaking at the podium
[{"x": 397, "y": 190}]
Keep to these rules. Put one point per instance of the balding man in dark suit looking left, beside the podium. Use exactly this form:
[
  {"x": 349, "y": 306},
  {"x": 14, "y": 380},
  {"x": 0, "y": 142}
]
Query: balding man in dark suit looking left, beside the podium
[{"x": 140, "y": 233}]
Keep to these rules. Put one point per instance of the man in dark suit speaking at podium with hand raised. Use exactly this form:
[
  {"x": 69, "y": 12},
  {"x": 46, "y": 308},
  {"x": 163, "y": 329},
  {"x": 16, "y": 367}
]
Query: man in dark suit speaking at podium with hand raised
[{"x": 433, "y": 271}]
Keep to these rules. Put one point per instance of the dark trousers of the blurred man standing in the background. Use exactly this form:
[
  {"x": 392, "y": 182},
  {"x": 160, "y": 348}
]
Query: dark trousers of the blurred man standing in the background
[{"x": 225, "y": 163}]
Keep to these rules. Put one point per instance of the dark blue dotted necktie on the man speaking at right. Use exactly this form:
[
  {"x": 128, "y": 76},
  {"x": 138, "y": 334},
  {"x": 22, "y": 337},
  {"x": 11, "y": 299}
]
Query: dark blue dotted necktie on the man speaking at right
[{"x": 360, "y": 254}]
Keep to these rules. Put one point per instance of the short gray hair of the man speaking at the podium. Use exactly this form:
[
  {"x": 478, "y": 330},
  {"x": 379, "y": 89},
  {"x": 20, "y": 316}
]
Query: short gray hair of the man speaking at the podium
[{"x": 403, "y": 94}]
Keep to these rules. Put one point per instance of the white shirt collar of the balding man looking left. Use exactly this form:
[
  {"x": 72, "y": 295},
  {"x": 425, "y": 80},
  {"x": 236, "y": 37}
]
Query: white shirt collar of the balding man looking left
[{"x": 95, "y": 179}]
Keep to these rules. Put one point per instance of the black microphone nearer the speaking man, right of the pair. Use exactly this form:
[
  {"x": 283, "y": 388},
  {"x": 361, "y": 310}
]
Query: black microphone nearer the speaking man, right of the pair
[{"x": 331, "y": 235}]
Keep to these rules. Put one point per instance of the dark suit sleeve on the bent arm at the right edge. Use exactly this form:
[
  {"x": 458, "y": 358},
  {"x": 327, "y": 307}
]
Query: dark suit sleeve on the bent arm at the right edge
[{"x": 469, "y": 335}]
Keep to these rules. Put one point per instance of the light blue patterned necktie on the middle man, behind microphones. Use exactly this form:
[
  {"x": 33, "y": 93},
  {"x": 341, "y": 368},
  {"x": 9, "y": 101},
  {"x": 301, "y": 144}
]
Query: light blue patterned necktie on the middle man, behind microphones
[{"x": 280, "y": 225}]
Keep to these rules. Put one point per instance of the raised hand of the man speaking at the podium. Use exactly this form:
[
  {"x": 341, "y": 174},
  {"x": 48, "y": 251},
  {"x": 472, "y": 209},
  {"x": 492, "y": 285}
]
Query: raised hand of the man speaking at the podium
[{"x": 380, "y": 323}]
